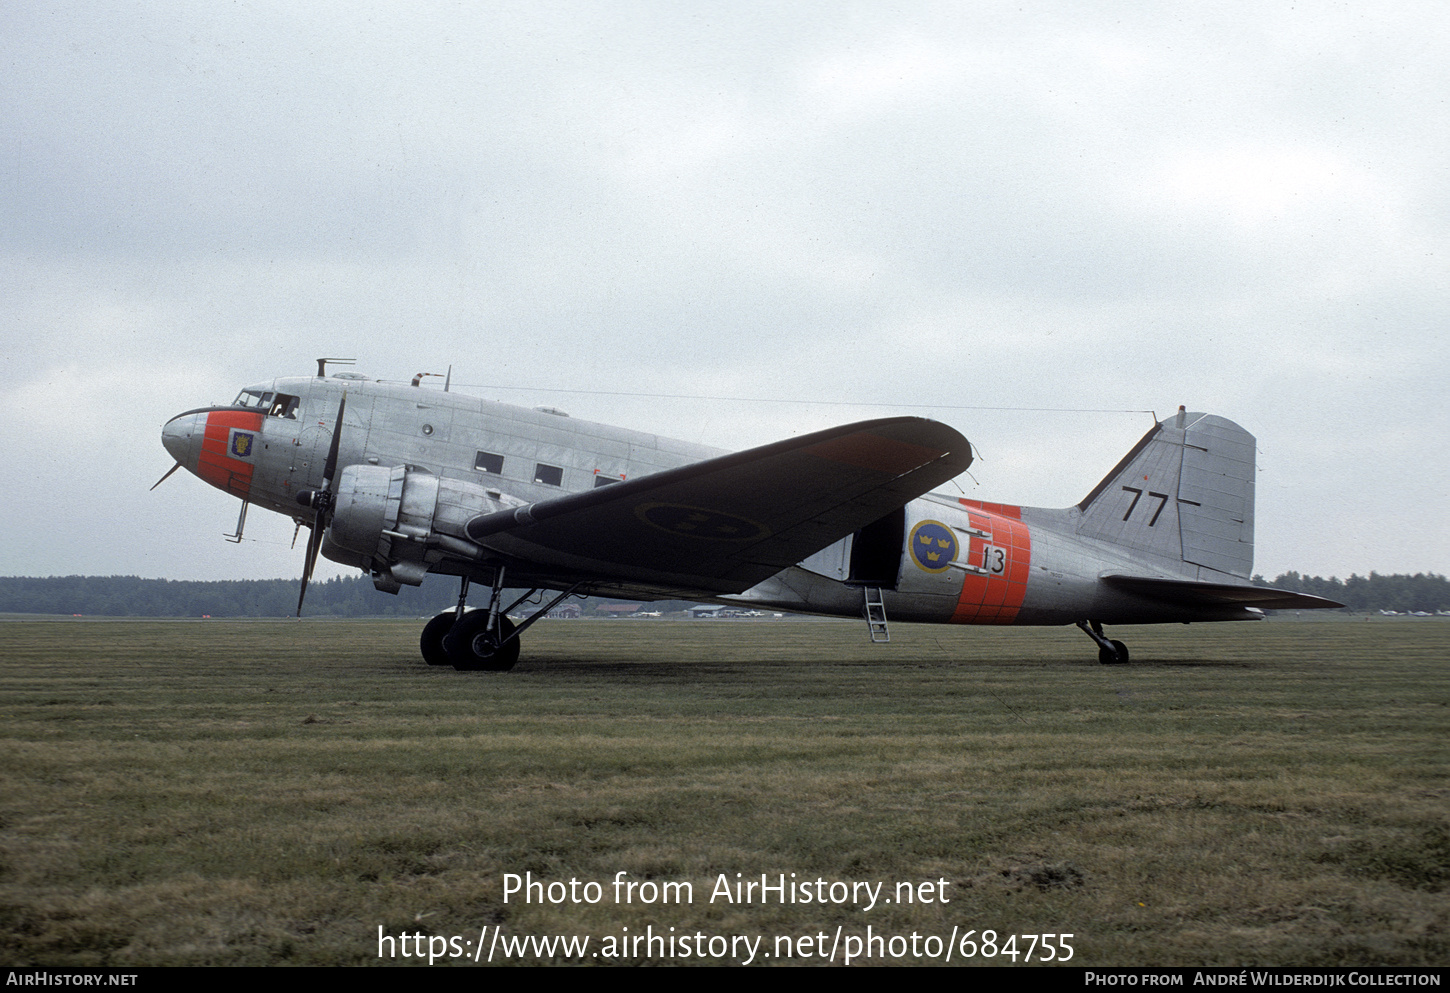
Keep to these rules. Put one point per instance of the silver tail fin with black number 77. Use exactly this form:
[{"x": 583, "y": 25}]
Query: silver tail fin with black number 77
[{"x": 1184, "y": 495}]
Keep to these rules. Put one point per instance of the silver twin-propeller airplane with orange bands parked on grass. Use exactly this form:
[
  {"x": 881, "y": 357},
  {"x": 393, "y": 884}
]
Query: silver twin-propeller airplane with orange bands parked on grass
[{"x": 402, "y": 482}]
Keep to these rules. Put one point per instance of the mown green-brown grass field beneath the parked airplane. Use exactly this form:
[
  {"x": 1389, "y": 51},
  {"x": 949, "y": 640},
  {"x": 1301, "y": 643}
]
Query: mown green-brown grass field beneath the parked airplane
[{"x": 272, "y": 794}]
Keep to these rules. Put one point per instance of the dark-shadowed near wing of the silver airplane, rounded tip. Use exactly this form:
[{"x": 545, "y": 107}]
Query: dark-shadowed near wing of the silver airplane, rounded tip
[{"x": 727, "y": 524}]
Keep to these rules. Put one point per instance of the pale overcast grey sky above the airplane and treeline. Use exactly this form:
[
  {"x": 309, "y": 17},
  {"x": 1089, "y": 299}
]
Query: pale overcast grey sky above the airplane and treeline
[{"x": 732, "y": 224}]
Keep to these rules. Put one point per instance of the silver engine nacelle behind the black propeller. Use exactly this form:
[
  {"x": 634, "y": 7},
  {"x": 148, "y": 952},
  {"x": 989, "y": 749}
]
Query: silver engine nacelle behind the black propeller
[{"x": 399, "y": 523}]
